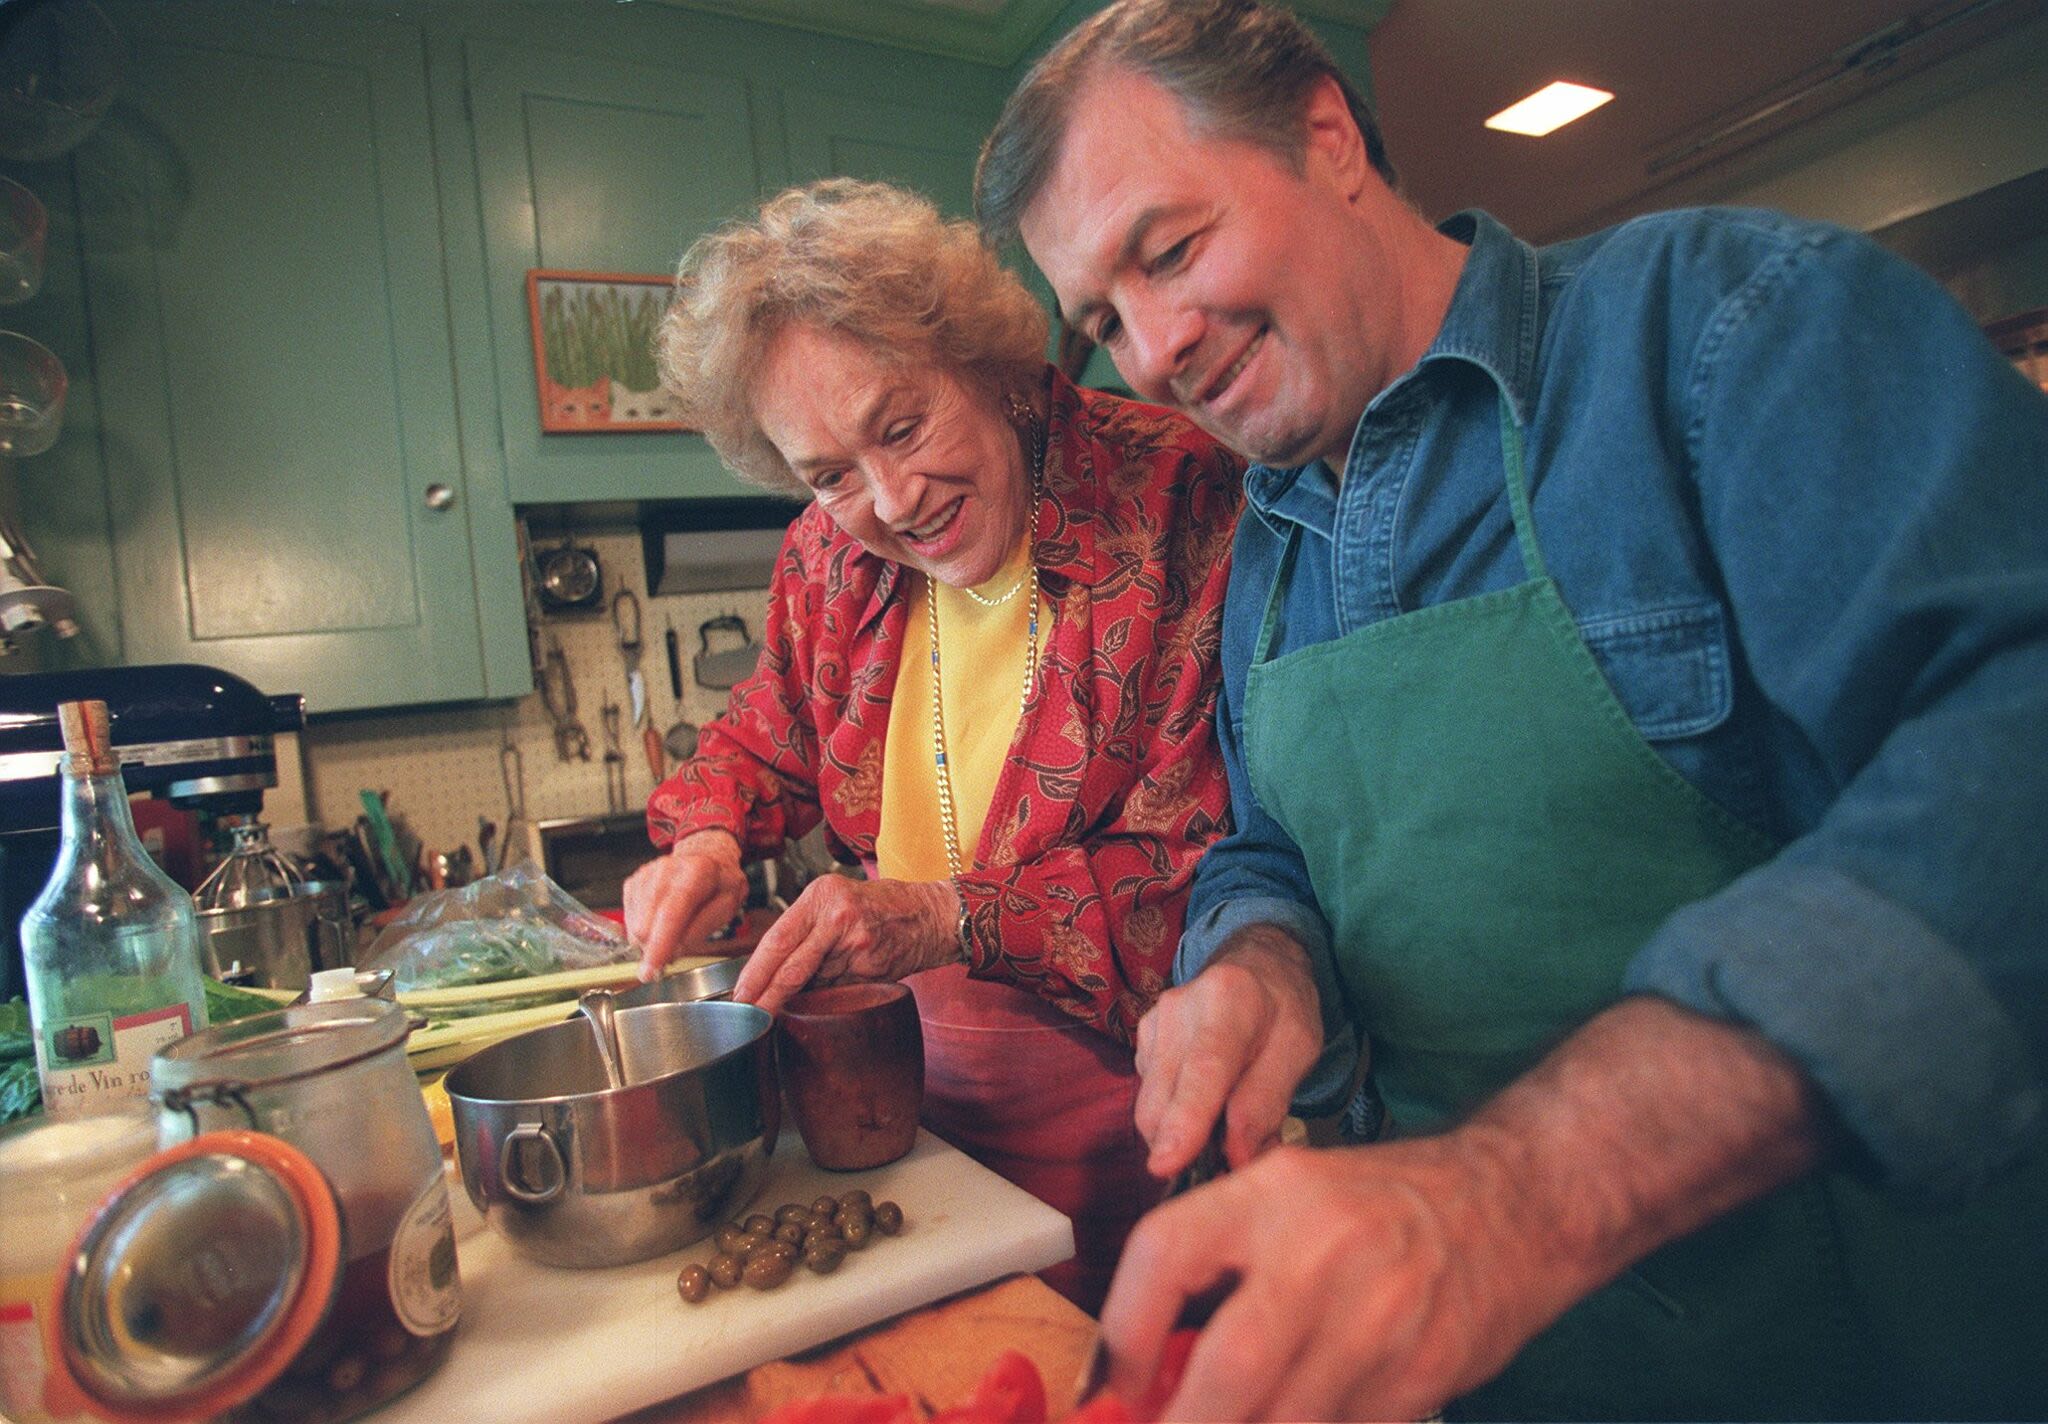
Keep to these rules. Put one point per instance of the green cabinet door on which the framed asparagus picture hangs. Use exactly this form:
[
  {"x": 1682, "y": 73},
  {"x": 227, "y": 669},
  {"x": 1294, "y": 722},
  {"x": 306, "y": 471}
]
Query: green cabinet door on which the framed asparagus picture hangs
[{"x": 605, "y": 167}]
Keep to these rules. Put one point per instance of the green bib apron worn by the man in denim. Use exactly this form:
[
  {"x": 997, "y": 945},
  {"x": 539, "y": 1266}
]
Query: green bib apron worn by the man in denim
[{"x": 1492, "y": 841}]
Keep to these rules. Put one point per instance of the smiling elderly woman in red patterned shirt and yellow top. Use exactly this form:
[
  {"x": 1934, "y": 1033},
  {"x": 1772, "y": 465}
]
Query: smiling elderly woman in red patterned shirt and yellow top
[{"x": 990, "y": 669}]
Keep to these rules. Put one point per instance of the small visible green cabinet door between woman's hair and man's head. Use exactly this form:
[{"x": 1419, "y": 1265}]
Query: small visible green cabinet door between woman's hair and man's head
[{"x": 916, "y": 146}]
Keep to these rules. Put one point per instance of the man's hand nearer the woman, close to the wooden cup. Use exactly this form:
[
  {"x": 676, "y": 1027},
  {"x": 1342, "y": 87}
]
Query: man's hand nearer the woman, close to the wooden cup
[{"x": 1234, "y": 1042}]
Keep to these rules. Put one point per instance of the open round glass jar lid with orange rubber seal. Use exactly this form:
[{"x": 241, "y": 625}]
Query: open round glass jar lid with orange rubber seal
[{"x": 198, "y": 1280}]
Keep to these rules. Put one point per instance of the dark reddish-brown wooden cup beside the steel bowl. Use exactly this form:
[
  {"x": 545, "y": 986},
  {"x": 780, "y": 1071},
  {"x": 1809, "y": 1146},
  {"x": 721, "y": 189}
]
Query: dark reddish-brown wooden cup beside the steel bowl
[{"x": 853, "y": 1069}]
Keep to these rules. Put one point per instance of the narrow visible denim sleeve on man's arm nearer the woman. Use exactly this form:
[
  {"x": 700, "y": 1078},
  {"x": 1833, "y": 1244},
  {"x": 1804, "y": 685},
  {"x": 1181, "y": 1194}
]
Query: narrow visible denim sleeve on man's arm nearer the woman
[{"x": 1256, "y": 874}]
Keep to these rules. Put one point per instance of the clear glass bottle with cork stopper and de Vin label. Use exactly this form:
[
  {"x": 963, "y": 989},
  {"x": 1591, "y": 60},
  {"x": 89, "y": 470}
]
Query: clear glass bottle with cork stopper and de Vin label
[{"x": 112, "y": 946}]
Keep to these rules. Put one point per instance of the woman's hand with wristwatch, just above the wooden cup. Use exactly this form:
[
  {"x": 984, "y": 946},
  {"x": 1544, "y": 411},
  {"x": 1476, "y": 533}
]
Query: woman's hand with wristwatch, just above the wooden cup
[{"x": 845, "y": 929}]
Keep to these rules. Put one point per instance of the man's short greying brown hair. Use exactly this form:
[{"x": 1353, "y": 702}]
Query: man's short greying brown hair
[{"x": 1244, "y": 73}]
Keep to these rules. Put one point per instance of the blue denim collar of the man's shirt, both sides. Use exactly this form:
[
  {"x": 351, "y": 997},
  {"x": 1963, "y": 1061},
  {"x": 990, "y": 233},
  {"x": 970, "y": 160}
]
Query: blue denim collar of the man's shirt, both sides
[{"x": 1494, "y": 323}]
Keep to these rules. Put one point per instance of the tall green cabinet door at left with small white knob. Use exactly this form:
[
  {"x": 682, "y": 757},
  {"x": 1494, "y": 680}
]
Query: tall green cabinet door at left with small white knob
[{"x": 271, "y": 343}]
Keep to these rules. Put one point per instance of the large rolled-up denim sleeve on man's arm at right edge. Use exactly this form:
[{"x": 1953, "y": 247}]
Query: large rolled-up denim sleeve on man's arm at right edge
[{"x": 1875, "y": 487}]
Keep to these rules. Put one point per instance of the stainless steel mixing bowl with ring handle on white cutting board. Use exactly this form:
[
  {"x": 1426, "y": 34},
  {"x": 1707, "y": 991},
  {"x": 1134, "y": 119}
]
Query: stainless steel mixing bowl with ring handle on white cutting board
[{"x": 581, "y": 1175}]
